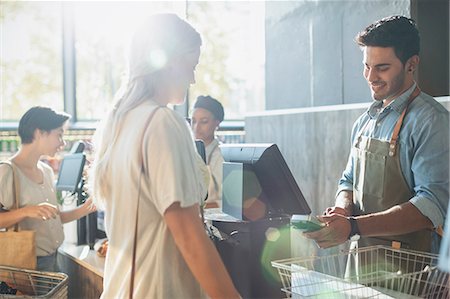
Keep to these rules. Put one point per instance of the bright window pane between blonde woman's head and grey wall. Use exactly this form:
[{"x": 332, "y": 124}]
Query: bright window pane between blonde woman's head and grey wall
[{"x": 231, "y": 67}]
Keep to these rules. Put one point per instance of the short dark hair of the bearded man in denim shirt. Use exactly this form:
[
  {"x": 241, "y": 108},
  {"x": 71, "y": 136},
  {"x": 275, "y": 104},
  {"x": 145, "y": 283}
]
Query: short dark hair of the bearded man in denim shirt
[{"x": 398, "y": 32}]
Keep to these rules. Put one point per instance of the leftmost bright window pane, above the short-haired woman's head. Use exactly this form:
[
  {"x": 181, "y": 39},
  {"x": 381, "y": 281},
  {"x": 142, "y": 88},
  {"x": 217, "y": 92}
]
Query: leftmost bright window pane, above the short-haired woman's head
[{"x": 30, "y": 55}]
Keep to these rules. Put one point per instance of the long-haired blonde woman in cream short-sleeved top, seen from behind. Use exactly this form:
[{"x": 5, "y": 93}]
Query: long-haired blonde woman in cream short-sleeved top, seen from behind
[{"x": 151, "y": 180}]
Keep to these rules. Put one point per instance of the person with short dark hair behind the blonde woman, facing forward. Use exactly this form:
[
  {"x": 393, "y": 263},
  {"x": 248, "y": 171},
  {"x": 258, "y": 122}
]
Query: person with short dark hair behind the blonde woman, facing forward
[{"x": 206, "y": 117}]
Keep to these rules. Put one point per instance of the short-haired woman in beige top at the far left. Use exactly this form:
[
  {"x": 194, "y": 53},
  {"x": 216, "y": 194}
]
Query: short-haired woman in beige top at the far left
[{"x": 41, "y": 131}]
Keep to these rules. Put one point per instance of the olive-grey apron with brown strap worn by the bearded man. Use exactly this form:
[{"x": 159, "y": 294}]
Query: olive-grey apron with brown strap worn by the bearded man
[{"x": 379, "y": 184}]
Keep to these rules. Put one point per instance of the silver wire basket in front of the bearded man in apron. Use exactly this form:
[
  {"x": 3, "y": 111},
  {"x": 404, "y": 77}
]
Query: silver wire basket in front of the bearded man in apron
[{"x": 369, "y": 272}]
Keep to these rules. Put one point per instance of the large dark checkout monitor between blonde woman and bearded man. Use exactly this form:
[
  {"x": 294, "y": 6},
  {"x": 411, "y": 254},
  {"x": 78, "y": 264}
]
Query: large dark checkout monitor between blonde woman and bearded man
[{"x": 257, "y": 183}]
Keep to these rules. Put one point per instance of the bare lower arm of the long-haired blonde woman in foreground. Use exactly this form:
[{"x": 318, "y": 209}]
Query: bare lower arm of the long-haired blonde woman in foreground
[{"x": 198, "y": 251}]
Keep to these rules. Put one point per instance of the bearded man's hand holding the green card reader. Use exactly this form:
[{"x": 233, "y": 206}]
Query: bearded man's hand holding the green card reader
[{"x": 334, "y": 233}]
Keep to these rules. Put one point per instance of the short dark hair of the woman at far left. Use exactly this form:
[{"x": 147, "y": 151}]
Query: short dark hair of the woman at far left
[{"x": 42, "y": 118}]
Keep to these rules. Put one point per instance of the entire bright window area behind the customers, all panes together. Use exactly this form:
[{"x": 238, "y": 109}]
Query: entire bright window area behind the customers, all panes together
[{"x": 231, "y": 66}]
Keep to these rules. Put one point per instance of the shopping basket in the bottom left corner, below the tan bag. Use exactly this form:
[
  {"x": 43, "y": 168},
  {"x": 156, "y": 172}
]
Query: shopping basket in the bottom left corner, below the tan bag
[{"x": 34, "y": 284}]
